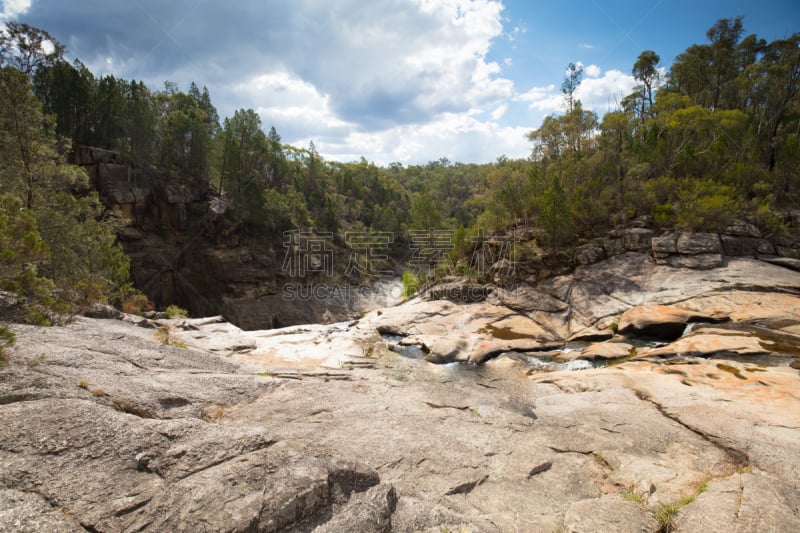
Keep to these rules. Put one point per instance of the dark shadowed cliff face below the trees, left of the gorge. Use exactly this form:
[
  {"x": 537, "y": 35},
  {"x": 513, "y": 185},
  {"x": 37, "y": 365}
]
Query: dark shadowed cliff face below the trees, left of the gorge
[{"x": 185, "y": 249}]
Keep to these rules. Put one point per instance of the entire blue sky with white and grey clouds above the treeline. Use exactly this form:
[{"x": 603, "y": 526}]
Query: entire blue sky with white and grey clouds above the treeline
[{"x": 391, "y": 80}]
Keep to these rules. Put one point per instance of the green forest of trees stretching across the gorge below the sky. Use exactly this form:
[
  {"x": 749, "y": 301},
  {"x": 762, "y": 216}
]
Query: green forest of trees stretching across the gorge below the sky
[{"x": 714, "y": 137}]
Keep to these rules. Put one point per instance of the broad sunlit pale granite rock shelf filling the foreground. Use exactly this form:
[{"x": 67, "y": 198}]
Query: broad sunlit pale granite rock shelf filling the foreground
[{"x": 112, "y": 426}]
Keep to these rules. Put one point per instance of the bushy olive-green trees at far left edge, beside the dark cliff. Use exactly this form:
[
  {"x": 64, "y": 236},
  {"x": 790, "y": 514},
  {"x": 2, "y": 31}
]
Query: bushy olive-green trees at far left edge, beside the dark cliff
[{"x": 59, "y": 246}]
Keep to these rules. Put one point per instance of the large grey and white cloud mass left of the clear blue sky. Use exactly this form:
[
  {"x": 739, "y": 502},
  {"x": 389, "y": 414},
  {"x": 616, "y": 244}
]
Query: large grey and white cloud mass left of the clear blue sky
[{"x": 395, "y": 80}]
